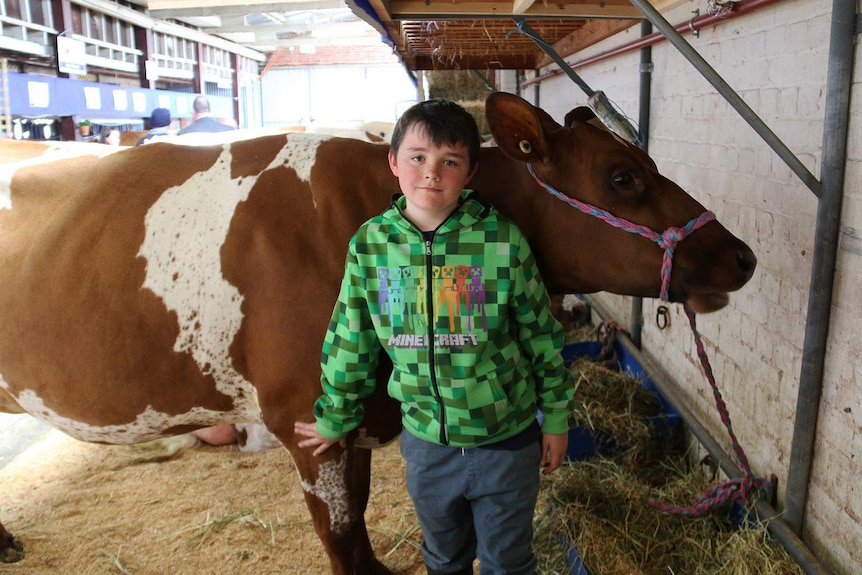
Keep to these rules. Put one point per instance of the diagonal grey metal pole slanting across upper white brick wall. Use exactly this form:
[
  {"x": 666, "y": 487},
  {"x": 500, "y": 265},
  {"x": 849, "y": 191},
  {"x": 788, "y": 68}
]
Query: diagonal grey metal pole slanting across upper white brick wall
[{"x": 729, "y": 94}]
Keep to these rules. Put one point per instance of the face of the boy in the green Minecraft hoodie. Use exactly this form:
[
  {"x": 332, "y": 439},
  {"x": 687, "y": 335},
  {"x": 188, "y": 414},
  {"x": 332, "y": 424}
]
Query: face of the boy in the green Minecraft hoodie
[{"x": 430, "y": 176}]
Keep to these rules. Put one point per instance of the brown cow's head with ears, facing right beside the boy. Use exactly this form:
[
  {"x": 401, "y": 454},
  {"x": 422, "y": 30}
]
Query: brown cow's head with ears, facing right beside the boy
[{"x": 589, "y": 164}]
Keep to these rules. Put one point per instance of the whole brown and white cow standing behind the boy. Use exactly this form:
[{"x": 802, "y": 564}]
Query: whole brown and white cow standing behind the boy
[{"x": 160, "y": 289}]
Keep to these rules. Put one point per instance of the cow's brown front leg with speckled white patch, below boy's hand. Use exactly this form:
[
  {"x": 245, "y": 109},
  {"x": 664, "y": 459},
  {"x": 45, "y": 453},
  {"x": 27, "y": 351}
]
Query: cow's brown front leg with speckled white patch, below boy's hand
[{"x": 336, "y": 487}]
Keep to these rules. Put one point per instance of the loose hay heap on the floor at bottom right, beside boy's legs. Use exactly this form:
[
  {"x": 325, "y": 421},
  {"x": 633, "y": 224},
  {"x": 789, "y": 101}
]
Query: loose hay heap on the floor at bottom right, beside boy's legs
[{"x": 599, "y": 506}]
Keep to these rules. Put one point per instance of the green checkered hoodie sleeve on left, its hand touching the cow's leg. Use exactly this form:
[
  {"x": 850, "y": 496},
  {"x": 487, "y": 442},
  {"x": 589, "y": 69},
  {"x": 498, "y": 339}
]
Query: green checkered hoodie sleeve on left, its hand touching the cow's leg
[{"x": 349, "y": 357}]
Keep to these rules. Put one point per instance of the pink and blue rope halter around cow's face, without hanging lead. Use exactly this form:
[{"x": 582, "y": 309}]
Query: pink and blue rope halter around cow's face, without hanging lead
[{"x": 667, "y": 240}]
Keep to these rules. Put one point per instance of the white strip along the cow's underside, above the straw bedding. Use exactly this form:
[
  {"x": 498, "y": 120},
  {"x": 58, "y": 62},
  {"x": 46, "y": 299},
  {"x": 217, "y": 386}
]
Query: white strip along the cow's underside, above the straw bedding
[{"x": 146, "y": 425}]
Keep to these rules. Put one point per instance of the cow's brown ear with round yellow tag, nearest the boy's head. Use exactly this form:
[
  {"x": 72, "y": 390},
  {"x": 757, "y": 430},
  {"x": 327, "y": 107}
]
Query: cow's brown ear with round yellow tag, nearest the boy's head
[{"x": 520, "y": 129}]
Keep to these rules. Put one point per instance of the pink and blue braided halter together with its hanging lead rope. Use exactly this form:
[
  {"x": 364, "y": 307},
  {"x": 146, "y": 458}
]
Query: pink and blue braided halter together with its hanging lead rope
[{"x": 738, "y": 489}]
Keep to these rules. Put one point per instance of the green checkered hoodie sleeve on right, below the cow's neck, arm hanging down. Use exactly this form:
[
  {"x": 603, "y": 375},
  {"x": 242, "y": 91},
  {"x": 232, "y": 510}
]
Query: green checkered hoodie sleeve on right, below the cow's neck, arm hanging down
[{"x": 541, "y": 338}]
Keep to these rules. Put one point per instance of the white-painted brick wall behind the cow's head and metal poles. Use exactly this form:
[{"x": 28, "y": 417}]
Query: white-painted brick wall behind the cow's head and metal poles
[{"x": 777, "y": 59}]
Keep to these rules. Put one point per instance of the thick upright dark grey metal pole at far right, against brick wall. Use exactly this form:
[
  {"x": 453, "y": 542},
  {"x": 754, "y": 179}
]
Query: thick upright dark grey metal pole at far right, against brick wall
[{"x": 838, "y": 83}]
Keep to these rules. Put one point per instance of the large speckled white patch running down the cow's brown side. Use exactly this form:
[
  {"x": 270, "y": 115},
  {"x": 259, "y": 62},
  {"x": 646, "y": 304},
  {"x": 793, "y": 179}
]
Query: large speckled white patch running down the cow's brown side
[{"x": 185, "y": 231}]
